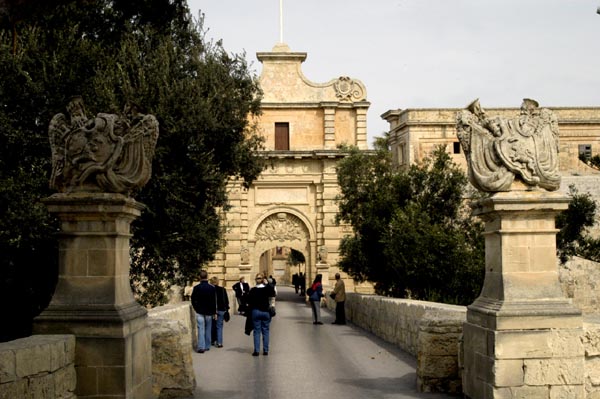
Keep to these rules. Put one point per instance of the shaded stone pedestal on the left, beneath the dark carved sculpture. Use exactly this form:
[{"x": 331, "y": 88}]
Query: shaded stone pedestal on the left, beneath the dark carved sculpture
[{"x": 93, "y": 298}]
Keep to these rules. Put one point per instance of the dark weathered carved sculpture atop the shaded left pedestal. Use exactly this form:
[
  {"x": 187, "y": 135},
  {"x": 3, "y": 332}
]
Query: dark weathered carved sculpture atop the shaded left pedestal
[{"x": 107, "y": 153}]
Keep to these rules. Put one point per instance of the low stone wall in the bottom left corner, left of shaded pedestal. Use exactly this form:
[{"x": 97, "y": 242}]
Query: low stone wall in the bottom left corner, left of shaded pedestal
[{"x": 38, "y": 367}]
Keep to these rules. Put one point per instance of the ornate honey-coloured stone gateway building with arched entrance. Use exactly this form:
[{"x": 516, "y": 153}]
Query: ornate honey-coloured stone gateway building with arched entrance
[{"x": 292, "y": 205}]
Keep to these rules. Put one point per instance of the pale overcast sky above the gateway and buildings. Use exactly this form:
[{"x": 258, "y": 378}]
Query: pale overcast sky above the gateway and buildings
[{"x": 427, "y": 53}]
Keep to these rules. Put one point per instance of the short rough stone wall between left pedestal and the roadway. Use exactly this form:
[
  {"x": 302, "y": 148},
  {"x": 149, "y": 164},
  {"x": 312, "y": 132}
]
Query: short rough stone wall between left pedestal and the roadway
[{"x": 173, "y": 334}]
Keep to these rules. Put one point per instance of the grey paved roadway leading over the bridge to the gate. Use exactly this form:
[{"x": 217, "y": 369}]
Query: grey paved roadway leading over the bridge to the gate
[{"x": 305, "y": 361}]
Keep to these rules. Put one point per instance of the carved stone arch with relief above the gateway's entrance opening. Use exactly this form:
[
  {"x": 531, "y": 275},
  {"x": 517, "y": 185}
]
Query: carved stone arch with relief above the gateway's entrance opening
[{"x": 283, "y": 227}]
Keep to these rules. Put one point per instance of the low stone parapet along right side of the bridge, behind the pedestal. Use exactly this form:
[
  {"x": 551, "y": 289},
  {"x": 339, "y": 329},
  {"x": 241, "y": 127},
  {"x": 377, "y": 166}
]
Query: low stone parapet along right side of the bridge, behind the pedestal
[{"x": 429, "y": 331}]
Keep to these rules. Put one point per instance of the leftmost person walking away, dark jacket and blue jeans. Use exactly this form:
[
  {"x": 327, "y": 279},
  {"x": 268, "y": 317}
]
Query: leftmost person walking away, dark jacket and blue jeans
[{"x": 204, "y": 302}]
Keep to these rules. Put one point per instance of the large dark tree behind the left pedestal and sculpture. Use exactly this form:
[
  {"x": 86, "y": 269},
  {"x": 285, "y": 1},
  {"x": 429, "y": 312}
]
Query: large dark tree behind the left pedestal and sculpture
[{"x": 154, "y": 54}]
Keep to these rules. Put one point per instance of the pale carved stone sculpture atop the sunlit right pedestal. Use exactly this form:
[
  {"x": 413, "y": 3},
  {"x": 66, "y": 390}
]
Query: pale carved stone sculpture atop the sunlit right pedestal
[{"x": 500, "y": 150}]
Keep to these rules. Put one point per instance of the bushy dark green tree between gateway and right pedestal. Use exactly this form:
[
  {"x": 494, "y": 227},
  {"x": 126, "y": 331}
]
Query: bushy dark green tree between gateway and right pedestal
[{"x": 414, "y": 236}]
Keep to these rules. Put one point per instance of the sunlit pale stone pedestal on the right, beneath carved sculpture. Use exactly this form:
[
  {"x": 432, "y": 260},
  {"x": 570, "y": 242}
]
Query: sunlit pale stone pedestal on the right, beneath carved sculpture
[{"x": 522, "y": 336}]
